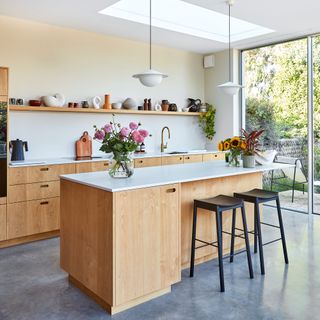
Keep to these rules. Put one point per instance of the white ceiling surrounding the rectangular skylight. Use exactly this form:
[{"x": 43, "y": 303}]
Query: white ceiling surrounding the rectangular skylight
[{"x": 289, "y": 19}]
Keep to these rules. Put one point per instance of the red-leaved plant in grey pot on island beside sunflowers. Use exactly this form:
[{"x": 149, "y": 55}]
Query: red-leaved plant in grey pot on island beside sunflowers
[{"x": 252, "y": 144}]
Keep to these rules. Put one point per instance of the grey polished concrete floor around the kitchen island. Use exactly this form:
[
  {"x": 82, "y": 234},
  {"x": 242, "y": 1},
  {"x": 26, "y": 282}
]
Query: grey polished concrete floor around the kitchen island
[{"x": 33, "y": 287}]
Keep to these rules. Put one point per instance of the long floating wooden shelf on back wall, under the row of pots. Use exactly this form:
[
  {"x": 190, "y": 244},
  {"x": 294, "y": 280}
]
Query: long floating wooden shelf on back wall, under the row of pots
[{"x": 91, "y": 110}]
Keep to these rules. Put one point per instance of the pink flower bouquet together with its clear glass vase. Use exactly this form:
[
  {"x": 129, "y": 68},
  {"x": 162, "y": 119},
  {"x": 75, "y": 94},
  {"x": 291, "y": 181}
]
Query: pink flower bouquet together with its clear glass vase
[{"x": 121, "y": 142}]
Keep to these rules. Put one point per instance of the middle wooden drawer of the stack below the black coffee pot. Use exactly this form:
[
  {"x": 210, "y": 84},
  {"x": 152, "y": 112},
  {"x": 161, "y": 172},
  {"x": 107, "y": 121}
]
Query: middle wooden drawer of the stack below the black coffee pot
[{"x": 34, "y": 191}]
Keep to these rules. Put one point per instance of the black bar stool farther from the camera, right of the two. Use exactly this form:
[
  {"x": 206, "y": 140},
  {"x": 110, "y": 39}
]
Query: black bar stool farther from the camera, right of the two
[{"x": 258, "y": 196}]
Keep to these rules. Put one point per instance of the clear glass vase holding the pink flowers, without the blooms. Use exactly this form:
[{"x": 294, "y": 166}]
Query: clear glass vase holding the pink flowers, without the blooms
[{"x": 121, "y": 165}]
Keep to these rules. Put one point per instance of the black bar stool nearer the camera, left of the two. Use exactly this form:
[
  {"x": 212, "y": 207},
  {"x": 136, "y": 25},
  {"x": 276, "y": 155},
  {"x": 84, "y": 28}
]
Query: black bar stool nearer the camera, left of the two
[{"x": 218, "y": 205}]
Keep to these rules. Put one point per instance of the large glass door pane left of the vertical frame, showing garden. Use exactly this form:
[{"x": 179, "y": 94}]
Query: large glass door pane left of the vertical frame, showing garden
[{"x": 276, "y": 100}]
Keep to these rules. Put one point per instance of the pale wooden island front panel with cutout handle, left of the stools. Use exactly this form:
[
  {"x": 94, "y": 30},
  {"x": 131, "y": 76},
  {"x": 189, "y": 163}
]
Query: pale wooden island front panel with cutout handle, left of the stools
[{"x": 153, "y": 215}]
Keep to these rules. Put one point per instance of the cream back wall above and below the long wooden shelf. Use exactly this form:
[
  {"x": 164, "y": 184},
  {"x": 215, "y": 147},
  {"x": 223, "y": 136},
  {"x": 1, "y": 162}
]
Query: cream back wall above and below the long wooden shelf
[{"x": 46, "y": 59}]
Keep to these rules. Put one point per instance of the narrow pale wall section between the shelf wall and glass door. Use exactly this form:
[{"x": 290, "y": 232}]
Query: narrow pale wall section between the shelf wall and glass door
[{"x": 228, "y": 107}]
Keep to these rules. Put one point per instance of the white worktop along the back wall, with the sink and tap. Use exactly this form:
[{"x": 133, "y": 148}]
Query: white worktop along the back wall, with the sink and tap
[{"x": 66, "y": 160}]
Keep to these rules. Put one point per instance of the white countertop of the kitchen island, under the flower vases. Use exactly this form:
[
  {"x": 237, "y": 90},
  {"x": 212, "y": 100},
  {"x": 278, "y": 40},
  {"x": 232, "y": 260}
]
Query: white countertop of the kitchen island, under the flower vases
[{"x": 164, "y": 175}]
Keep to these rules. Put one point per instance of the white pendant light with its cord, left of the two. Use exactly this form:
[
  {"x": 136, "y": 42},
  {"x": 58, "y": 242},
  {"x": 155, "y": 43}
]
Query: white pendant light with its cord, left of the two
[{"x": 150, "y": 77}]
